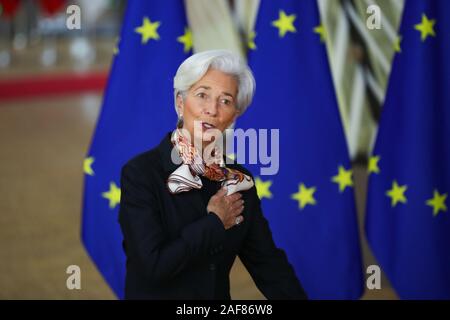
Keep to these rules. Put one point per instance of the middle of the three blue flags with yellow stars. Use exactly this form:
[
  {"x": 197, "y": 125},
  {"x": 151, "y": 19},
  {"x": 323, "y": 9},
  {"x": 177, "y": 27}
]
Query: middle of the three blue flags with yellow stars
[{"x": 309, "y": 202}]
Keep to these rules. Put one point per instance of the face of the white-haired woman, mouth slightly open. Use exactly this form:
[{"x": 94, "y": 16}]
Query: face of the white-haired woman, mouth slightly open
[{"x": 210, "y": 104}]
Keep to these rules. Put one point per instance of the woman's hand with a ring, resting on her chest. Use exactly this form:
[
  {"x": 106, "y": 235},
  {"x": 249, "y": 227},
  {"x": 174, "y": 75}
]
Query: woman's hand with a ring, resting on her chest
[{"x": 227, "y": 208}]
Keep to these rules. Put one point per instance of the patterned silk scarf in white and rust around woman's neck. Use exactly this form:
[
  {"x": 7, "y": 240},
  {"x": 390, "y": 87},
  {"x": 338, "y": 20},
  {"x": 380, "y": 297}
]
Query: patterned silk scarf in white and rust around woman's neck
[{"x": 186, "y": 177}]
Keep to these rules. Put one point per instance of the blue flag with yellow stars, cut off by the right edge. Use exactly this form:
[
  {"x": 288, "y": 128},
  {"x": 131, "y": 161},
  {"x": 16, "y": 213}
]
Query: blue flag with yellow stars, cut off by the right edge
[{"x": 408, "y": 223}]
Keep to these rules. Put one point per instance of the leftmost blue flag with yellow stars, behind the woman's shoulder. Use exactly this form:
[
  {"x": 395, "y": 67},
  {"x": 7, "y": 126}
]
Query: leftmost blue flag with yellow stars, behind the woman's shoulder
[{"x": 138, "y": 109}]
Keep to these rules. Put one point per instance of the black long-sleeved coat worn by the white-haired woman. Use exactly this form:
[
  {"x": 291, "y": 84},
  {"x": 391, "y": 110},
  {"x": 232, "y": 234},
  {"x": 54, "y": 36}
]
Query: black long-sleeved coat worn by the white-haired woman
[{"x": 176, "y": 250}]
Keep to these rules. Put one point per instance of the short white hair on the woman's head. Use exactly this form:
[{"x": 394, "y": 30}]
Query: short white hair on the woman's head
[{"x": 194, "y": 68}]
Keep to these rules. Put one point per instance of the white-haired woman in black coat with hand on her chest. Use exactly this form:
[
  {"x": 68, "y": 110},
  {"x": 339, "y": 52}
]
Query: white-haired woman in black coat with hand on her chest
[{"x": 185, "y": 214}]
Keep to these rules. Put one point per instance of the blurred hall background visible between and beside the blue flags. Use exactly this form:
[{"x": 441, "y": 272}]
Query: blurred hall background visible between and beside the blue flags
[{"x": 51, "y": 85}]
